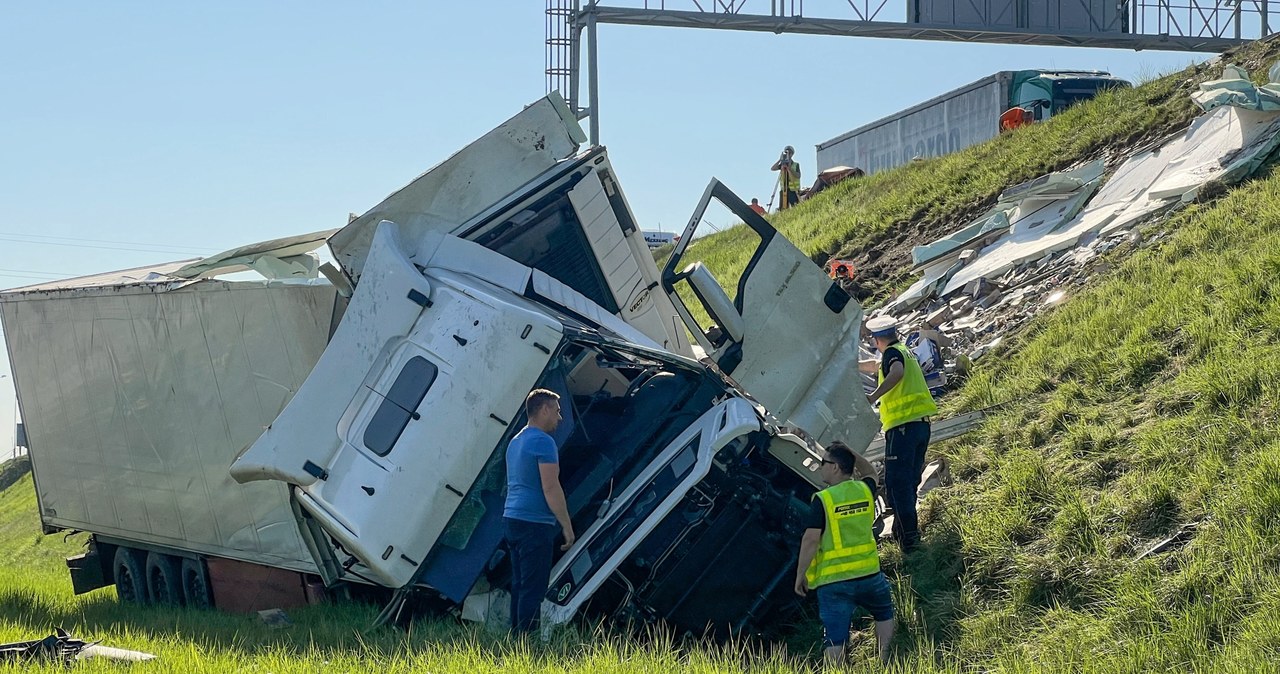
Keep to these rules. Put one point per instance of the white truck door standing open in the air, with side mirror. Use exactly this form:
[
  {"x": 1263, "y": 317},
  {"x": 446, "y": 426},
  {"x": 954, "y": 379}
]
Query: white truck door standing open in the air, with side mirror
[{"x": 790, "y": 334}]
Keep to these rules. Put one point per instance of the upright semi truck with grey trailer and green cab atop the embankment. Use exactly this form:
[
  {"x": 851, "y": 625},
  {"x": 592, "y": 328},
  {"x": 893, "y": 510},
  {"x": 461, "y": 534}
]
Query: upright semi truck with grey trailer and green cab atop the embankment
[{"x": 962, "y": 118}]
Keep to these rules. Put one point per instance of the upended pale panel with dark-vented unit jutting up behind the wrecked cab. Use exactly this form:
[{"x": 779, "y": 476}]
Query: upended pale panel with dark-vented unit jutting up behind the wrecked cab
[{"x": 527, "y": 192}]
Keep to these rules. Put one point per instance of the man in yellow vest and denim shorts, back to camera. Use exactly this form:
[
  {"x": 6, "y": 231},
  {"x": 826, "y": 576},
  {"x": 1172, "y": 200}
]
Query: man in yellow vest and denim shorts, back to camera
[{"x": 839, "y": 560}]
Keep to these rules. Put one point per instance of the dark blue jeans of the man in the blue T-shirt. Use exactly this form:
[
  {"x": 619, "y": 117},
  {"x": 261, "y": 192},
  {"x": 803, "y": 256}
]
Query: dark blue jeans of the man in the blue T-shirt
[{"x": 532, "y": 545}]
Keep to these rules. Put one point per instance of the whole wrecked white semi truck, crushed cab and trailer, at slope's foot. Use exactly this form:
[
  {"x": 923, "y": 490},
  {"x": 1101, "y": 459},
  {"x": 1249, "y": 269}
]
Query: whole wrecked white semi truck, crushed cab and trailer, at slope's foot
[{"x": 249, "y": 443}]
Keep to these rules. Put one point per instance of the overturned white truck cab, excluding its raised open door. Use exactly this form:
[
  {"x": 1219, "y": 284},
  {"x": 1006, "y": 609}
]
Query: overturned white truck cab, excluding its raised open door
[{"x": 395, "y": 446}]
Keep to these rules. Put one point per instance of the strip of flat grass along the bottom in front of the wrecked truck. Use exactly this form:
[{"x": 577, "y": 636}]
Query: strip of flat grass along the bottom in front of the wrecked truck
[{"x": 35, "y": 597}]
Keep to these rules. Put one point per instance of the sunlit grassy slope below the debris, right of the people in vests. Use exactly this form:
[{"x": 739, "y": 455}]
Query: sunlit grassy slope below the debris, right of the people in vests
[{"x": 1145, "y": 404}]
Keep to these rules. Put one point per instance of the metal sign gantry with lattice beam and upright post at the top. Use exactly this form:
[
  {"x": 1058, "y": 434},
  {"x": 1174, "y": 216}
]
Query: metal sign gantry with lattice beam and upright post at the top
[{"x": 1205, "y": 26}]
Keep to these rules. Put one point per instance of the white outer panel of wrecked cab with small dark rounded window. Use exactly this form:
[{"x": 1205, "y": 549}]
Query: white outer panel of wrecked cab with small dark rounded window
[{"x": 417, "y": 388}]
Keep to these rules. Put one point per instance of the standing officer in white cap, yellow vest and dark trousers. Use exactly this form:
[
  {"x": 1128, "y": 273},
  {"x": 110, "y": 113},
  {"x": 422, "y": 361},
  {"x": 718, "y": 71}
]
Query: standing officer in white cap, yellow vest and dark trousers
[{"x": 906, "y": 410}]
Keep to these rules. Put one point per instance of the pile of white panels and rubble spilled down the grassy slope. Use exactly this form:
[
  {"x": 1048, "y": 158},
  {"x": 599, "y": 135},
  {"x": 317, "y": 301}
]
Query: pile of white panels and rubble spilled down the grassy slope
[{"x": 1044, "y": 237}]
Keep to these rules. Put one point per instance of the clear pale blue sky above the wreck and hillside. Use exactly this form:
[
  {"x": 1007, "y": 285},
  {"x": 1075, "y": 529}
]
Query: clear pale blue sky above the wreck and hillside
[{"x": 145, "y": 132}]
